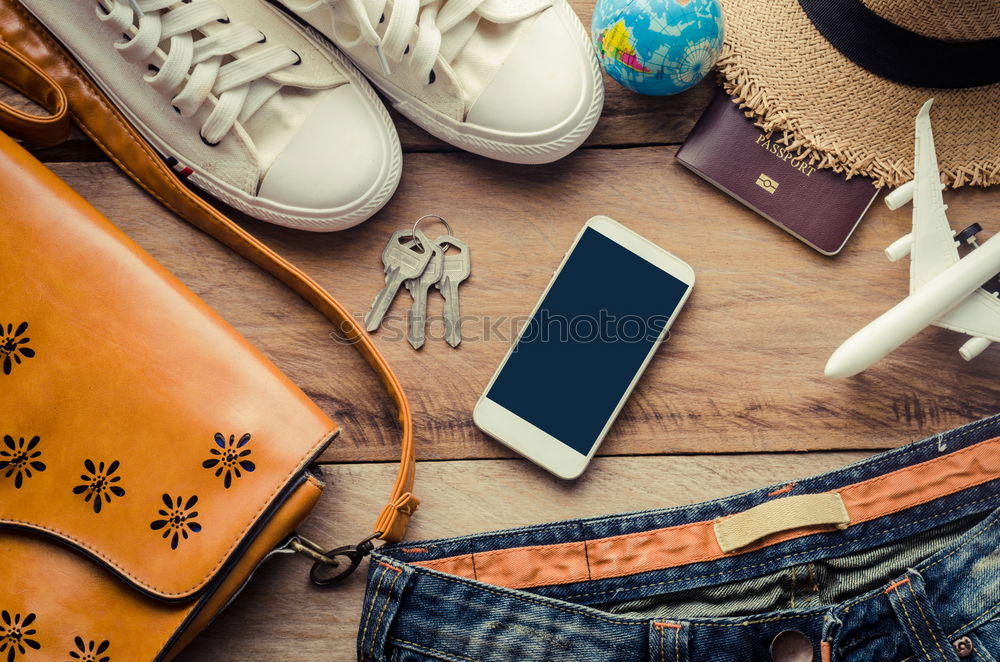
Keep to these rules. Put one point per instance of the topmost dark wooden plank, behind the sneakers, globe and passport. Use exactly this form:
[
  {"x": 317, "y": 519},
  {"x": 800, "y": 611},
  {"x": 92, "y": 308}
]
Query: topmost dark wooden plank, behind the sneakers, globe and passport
[{"x": 628, "y": 118}]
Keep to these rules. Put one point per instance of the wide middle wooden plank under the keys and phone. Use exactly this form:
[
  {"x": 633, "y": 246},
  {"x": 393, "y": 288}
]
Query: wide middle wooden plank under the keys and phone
[{"x": 743, "y": 371}]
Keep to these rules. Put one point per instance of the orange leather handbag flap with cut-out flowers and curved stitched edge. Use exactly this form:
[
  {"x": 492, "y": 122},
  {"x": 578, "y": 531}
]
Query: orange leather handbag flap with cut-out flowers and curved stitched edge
[{"x": 137, "y": 426}]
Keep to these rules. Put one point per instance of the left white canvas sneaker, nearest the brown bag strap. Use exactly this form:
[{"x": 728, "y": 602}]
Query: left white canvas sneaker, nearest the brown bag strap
[{"x": 238, "y": 99}]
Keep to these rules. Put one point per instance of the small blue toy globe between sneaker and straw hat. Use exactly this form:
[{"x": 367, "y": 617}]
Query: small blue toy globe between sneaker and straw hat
[{"x": 658, "y": 47}]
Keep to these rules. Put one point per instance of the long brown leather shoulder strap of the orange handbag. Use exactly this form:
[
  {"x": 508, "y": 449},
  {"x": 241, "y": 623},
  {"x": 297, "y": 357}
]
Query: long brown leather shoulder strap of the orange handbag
[{"x": 33, "y": 63}]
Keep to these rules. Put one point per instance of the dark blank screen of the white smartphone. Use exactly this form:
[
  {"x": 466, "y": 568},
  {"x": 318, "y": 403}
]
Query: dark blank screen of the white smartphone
[{"x": 581, "y": 350}]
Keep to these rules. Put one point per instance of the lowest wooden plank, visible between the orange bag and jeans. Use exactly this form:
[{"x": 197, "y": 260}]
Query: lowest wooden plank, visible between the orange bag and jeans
[{"x": 281, "y": 616}]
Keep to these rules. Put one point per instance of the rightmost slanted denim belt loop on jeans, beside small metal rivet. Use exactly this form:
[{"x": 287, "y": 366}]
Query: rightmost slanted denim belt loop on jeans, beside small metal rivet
[{"x": 918, "y": 619}]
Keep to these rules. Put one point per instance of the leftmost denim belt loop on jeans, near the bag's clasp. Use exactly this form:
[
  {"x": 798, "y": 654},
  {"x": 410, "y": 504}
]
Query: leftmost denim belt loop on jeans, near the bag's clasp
[{"x": 383, "y": 597}]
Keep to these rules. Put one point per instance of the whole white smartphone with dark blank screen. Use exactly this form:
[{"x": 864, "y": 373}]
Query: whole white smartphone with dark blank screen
[{"x": 593, "y": 332}]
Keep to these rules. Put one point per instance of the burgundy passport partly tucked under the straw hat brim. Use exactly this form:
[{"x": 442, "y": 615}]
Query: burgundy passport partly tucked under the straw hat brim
[{"x": 820, "y": 207}]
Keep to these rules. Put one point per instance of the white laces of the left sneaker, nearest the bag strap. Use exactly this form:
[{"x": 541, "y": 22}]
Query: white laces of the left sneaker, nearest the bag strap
[{"x": 195, "y": 69}]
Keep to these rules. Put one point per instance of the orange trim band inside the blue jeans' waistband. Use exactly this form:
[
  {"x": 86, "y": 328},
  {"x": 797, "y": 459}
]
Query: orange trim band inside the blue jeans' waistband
[{"x": 618, "y": 556}]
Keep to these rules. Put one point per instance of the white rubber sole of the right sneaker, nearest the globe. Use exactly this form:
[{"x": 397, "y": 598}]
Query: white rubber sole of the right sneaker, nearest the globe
[{"x": 535, "y": 148}]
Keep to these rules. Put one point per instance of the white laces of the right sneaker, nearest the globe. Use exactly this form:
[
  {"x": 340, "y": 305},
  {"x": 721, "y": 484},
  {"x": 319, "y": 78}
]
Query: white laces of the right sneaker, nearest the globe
[{"x": 432, "y": 20}]
